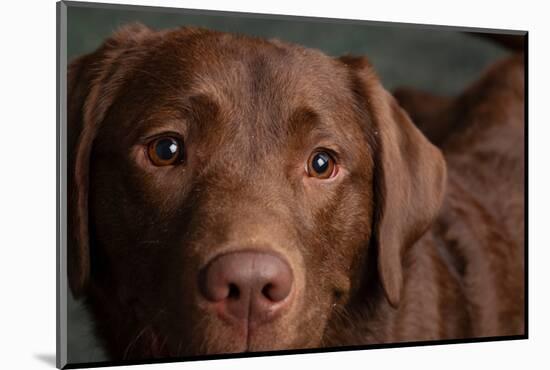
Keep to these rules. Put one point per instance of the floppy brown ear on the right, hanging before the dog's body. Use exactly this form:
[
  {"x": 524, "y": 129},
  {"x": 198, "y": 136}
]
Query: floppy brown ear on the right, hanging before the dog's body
[{"x": 409, "y": 176}]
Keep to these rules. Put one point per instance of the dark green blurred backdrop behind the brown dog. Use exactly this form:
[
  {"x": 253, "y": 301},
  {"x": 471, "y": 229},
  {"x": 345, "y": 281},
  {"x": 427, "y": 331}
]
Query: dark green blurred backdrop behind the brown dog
[{"x": 434, "y": 59}]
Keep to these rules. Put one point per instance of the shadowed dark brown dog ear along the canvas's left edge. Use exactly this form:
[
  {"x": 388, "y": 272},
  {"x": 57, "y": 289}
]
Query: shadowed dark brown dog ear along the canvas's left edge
[{"x": 93, "y": 82}]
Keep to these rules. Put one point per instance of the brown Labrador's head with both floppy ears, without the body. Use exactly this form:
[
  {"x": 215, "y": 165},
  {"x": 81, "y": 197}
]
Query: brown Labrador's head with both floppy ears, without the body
[{"x": 227, "y": 192}]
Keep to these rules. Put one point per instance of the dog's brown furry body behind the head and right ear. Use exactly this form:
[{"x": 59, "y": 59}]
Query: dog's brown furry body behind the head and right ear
[{"x": 466, "y": 272}]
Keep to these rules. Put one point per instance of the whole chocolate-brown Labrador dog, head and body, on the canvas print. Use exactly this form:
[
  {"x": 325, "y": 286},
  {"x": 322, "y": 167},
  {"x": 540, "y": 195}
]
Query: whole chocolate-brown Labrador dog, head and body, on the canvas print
[{"x": 233, "y": 194}]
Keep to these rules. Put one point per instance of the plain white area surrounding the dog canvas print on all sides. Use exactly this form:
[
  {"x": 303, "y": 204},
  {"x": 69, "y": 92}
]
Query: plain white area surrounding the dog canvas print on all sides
[{"x": 27, "y": 182}]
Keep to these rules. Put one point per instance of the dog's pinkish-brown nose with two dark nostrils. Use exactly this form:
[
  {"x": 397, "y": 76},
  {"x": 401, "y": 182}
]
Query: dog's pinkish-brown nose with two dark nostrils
[{"x": 248, "y": 285}]
